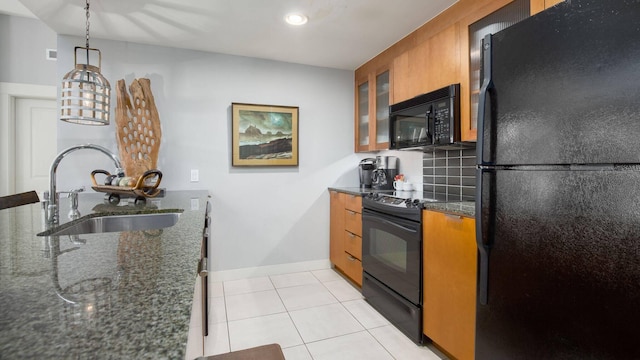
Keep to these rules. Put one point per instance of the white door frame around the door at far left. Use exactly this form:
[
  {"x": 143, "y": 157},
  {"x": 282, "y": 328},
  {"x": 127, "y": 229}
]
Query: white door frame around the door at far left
[{"x": 9, "y": 92}]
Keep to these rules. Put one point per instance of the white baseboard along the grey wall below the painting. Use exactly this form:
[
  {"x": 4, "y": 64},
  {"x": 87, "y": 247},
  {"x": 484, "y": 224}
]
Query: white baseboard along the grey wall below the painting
[{"x": 245, "y": 273}]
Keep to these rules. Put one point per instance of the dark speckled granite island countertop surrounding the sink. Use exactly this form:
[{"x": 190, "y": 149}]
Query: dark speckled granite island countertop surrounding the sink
[{"x": 121, "y": 295}]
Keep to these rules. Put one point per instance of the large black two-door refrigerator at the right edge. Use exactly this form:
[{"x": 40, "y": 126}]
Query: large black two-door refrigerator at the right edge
[{"x": 558, "y": 186}]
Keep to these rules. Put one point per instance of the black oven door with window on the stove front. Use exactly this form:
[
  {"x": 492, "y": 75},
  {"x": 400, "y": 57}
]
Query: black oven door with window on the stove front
[{"x": 392, "y": 251}]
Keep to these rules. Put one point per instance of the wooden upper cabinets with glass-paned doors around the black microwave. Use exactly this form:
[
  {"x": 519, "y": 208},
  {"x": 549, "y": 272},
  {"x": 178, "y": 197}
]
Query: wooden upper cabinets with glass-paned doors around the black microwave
[{"x": 435, "y": 55}]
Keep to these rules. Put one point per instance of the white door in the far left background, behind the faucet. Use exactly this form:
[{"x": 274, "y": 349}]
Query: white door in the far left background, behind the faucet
[{"x": 35, "y": 143}]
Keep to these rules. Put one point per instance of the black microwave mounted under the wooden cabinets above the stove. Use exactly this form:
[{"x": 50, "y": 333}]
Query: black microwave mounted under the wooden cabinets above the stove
[{"x": 427, "y": 120}]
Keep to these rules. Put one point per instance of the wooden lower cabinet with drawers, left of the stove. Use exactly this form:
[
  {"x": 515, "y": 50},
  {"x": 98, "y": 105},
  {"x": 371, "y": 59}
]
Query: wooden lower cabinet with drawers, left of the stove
[{"x": 345, "y": 244}]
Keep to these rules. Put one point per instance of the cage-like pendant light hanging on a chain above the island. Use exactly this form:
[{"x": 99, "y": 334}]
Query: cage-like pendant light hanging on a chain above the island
[{"x": 86, "y": 94}]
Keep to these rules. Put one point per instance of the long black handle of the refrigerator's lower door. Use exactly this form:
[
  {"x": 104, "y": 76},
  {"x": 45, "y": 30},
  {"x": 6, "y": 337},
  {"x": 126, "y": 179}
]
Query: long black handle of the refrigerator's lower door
[{"x": 483, "y": 246}]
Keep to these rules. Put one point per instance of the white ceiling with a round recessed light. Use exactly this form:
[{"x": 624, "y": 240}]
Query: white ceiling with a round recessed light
[{"x": 342, "y": 34}]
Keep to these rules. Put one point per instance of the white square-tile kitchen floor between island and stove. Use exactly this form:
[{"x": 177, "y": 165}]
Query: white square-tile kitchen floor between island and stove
[{"x": 312, "y": 315}]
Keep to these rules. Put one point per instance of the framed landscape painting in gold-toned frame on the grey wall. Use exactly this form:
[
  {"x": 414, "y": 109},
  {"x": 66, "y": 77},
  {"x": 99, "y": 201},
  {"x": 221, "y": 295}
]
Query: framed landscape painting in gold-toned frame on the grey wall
[{"x": 264, "y": 135}]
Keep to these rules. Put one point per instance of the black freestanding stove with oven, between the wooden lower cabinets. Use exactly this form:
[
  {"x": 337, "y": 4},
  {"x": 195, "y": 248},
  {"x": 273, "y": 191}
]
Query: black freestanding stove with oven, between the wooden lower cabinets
[{"x": 392, "y": 260}]
